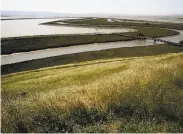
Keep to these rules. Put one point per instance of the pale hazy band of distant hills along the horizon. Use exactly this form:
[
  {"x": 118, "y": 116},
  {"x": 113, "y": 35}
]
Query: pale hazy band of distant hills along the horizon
[{"x": 35, "y": 14}]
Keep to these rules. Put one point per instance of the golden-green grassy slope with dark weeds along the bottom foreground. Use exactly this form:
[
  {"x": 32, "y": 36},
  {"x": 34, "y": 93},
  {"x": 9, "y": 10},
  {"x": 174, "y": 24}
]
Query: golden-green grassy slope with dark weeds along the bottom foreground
[{"x": 142, "y": 94}]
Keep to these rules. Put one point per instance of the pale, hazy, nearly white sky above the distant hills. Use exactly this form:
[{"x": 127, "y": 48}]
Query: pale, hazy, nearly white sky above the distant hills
[{"x": 142, "y": 7}]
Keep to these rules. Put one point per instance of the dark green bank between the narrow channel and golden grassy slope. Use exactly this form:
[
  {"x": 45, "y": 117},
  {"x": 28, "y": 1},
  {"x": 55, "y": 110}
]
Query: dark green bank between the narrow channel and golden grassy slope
[{"x": 88, "y": 56}]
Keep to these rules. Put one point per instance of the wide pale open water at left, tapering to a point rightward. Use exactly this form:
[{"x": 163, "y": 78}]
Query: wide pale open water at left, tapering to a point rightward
[{"x": 29, "y": 27}]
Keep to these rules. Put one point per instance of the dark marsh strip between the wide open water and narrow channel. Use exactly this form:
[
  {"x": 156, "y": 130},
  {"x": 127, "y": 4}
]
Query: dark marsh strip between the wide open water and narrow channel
[{"x": 25, "y": 44}]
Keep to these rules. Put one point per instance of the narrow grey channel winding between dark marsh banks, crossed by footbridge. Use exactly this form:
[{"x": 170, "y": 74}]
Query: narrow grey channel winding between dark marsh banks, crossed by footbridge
[{"x": 26, "y": 56}]
